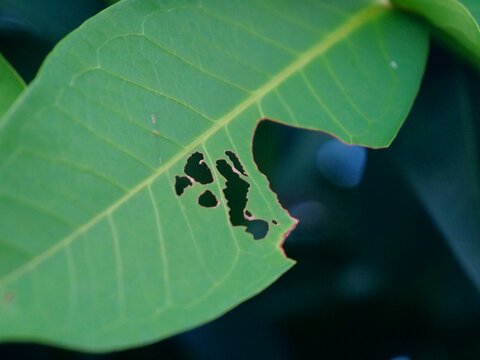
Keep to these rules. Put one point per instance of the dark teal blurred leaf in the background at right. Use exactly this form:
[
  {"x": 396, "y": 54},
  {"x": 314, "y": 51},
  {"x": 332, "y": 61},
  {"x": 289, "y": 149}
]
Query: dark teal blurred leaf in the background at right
[{"x": 439, "y": 157}]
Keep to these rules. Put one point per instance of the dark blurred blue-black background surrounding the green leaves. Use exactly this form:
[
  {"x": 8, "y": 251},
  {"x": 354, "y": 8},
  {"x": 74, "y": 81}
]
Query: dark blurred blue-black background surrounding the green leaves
[{"x": 376, "y": 276}]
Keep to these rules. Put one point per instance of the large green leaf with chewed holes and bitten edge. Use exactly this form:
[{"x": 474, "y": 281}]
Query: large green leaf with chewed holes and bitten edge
[{"x": 98, "y": 252}]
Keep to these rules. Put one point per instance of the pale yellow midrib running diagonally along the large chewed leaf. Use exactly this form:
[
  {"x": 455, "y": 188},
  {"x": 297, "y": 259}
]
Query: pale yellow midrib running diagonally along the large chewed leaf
[{"x": 307, "y": 57}]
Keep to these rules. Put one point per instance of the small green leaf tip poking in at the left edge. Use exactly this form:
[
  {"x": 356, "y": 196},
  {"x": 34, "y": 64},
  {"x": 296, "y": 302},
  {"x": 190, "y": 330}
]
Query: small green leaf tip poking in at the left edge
[{"x": 11, "y": 85}]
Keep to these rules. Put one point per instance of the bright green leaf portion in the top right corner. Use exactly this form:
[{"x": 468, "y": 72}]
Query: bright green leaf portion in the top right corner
[{"x": 457, "y": 21}]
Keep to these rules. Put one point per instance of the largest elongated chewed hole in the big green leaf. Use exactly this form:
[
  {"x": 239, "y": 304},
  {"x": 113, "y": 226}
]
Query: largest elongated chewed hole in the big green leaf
[{"x": 235, "y": 191}]
